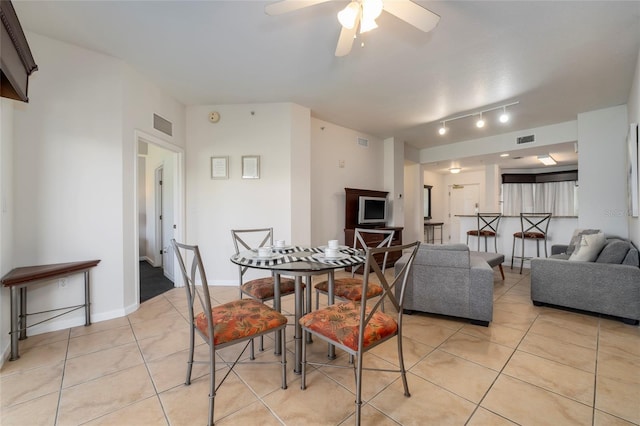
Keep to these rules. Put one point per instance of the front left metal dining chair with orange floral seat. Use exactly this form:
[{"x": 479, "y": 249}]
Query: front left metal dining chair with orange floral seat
[{"x": 223, "y": 325}]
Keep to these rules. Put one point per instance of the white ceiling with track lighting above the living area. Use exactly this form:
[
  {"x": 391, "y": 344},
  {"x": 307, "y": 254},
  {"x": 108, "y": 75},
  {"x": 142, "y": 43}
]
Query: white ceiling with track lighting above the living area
[{"x": 557, "y": 59}]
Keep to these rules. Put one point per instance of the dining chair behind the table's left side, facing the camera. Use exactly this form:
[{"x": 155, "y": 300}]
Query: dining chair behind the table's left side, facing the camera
[{"x": 261, "y": 289}]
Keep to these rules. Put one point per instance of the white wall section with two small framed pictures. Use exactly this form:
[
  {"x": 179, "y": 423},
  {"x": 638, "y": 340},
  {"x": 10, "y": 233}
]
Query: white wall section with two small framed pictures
[{"x": 214, "y": 207}]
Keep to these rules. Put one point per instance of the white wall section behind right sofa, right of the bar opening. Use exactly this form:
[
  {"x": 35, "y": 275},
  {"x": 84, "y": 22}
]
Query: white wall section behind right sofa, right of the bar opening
[{"x": 602, "y": 195}]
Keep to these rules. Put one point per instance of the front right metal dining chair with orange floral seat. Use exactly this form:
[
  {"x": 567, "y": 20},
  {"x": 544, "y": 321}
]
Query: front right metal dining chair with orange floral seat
[{"x": 358, "y": 326}]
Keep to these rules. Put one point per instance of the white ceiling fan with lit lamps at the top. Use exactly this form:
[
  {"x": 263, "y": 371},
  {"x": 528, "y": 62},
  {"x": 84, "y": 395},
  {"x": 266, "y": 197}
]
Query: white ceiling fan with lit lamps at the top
[{"x": 362, "y": 14}]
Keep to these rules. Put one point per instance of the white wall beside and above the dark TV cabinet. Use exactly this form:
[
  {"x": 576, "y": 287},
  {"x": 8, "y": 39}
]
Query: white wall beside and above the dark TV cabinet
[{"x": 363, "y": 169}]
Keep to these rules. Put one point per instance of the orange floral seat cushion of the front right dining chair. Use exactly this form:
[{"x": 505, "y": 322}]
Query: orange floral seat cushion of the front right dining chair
[{"x": 340, "y": 323}]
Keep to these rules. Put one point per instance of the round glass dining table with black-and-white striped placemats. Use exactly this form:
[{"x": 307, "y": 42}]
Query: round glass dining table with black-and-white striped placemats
[{"x": 299, "y": 262}]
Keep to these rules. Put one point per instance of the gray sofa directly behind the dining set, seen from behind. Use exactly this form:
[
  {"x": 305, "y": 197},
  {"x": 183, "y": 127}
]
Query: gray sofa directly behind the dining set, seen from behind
[{"x": 448, "y": 280}]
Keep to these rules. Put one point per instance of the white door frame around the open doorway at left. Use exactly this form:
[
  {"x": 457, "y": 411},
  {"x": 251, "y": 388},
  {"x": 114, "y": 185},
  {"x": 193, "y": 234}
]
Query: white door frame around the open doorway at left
[{"x": 179, "y": 208}]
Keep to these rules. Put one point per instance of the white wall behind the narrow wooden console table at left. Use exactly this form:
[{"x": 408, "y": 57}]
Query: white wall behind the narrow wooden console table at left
[{"x": 74, "y": 175}]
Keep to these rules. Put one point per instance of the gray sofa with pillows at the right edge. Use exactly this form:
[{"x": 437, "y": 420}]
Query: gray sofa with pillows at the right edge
[{"x": 610, "y": 285}]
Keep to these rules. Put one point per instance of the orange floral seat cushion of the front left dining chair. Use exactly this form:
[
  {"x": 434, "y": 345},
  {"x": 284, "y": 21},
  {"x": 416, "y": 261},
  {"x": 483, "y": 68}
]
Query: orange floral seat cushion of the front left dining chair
[{"x": 239, "y": 319}]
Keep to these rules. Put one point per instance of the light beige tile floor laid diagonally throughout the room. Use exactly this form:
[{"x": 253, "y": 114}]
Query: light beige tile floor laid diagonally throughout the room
[{"x": 531, "y": 366}]
